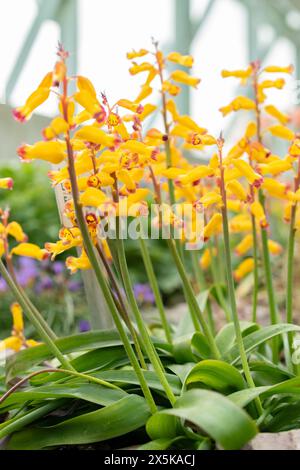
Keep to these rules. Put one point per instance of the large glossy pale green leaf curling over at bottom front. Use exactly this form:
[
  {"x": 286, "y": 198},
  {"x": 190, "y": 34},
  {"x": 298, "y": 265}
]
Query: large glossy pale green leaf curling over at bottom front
[{"x": 230, "y": 426}]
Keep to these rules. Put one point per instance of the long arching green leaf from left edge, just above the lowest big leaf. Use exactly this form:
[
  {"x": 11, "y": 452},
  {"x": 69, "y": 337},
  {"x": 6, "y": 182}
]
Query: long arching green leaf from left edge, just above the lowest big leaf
[{"x": 84, "y": 391}]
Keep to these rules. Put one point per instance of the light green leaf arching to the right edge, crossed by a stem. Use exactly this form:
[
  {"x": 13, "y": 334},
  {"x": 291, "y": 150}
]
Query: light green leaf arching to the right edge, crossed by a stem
[{"x": 257, "y": 338}]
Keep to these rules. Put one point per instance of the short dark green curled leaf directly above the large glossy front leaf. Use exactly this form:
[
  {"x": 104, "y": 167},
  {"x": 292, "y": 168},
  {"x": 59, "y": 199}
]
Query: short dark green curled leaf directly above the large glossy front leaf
[{"x": 217, "y": 375}]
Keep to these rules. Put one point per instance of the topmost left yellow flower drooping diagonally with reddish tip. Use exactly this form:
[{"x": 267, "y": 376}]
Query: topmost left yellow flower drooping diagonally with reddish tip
[{"x": 38, "y": 97}]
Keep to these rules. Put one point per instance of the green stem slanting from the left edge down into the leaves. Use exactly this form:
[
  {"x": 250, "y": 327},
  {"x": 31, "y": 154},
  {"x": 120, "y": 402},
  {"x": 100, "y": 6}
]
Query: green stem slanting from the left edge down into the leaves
[{"x": 34, "y": 320}]
